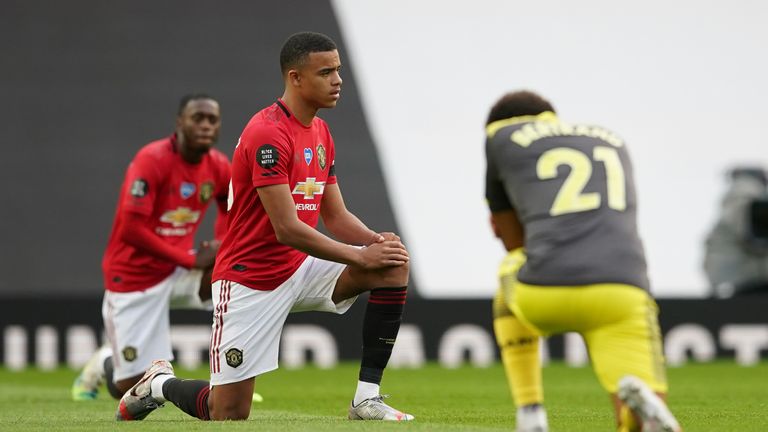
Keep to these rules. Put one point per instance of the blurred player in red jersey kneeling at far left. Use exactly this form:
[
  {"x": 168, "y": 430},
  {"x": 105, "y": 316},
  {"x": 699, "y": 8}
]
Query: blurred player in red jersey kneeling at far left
[{"x": 150, "y": 265}]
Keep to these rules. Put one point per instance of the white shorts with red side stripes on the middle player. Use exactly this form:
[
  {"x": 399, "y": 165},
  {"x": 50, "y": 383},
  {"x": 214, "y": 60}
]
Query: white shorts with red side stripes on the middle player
[{"x": 247, "y": 323}]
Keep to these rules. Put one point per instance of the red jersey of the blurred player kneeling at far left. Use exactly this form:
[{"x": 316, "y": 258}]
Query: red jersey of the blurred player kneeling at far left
[{"x": 173, "y": 194}]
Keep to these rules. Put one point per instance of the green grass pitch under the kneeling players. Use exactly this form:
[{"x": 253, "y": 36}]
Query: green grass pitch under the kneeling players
[{"x": 717, "y": 396}]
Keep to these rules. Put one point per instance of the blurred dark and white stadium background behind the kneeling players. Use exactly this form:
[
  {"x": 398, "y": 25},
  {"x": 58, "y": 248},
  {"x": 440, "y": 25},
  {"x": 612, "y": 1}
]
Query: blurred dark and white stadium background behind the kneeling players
[{"x": 85, "y": 83}]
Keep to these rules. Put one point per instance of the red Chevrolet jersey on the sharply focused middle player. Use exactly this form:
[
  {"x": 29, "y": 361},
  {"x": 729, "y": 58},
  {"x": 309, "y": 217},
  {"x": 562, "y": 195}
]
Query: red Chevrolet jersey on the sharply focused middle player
[{"x": 274, "y": 148}]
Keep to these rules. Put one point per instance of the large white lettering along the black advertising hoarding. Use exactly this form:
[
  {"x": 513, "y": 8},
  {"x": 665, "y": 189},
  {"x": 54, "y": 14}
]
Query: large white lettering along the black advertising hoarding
[{"x": 305, "y": 343}]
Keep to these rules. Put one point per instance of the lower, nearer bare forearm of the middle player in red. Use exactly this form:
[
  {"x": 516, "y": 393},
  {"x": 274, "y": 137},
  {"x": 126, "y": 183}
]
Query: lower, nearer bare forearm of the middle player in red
[{"x": 301, "y": 236}]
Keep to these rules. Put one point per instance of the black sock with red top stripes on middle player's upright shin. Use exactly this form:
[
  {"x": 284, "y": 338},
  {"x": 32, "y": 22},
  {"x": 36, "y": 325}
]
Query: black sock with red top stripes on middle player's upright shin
[{"x": 381, "y": 324}]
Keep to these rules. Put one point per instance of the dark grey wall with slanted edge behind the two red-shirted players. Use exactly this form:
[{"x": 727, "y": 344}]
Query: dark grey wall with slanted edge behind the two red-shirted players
[{"x": 85, "y": 84}]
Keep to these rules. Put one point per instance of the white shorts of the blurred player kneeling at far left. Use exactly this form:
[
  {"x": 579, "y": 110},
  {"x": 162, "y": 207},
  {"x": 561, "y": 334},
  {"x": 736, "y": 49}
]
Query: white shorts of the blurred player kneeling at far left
[{"x": 137, "y": 323}]
